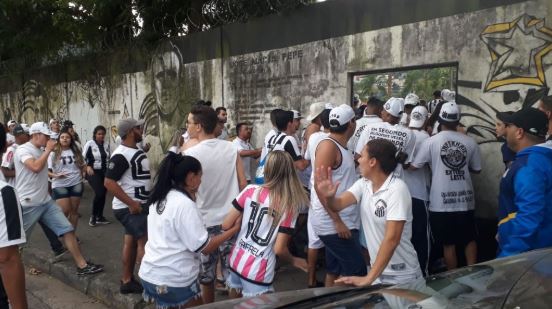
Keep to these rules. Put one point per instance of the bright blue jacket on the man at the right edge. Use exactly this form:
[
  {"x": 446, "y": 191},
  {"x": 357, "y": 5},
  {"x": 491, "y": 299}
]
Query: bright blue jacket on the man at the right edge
[{"x": 525, "y": 202}]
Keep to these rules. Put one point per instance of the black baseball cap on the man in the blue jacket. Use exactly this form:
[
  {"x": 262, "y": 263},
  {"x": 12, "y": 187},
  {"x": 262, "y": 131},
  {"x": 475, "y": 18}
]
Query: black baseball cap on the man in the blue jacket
[{"x": 531, "y": 120}]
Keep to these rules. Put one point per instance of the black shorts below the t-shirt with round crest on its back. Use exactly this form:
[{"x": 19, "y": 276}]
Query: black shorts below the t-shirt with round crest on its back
[{"x": 453, "y": 228}]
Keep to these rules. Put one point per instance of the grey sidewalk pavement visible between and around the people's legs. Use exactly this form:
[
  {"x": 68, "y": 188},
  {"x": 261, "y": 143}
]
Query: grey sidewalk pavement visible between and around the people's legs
[{"x": 103, "y": 245}]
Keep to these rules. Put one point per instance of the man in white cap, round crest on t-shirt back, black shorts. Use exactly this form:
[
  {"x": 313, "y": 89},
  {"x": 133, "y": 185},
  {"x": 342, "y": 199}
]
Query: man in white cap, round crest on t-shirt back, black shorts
[{"x": 452, "y": 156}]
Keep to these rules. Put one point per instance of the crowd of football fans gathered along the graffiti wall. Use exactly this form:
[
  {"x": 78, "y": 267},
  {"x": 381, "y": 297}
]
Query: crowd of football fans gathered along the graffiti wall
[{"x": 379, "y": 188}]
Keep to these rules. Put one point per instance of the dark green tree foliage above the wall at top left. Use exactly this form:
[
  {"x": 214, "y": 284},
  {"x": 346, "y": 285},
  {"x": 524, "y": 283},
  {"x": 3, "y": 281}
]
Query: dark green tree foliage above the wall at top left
[{"x": 58, "y": 28}]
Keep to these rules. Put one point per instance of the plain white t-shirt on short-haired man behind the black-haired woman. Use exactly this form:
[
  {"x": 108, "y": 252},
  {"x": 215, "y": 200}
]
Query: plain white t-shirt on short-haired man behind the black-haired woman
[{"x": 219, "y": 183}]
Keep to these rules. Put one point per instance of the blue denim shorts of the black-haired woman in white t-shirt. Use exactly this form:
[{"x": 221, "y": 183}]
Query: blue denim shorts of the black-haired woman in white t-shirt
[{"x": 169, "y": 297}]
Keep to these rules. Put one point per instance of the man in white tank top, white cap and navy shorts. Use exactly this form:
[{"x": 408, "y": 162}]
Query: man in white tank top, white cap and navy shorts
[{"x": 338, "y": 231}]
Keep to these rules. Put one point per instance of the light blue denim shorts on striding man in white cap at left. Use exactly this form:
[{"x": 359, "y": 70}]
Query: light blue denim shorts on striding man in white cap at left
[{"x": 48, "y": 213}]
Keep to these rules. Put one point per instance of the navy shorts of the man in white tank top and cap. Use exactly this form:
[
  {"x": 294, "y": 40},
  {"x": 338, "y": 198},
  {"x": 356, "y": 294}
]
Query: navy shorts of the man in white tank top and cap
[{"x": 344, "y": 256}]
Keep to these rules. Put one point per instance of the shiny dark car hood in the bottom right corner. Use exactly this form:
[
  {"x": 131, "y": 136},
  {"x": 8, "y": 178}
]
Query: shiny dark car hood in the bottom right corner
[{"x": 485, "y": 285}]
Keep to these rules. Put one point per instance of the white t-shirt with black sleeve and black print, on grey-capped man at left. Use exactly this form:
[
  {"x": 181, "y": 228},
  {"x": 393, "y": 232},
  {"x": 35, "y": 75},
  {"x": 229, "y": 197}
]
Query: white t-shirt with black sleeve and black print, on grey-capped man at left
[{"x": 130, "y": 168}]
